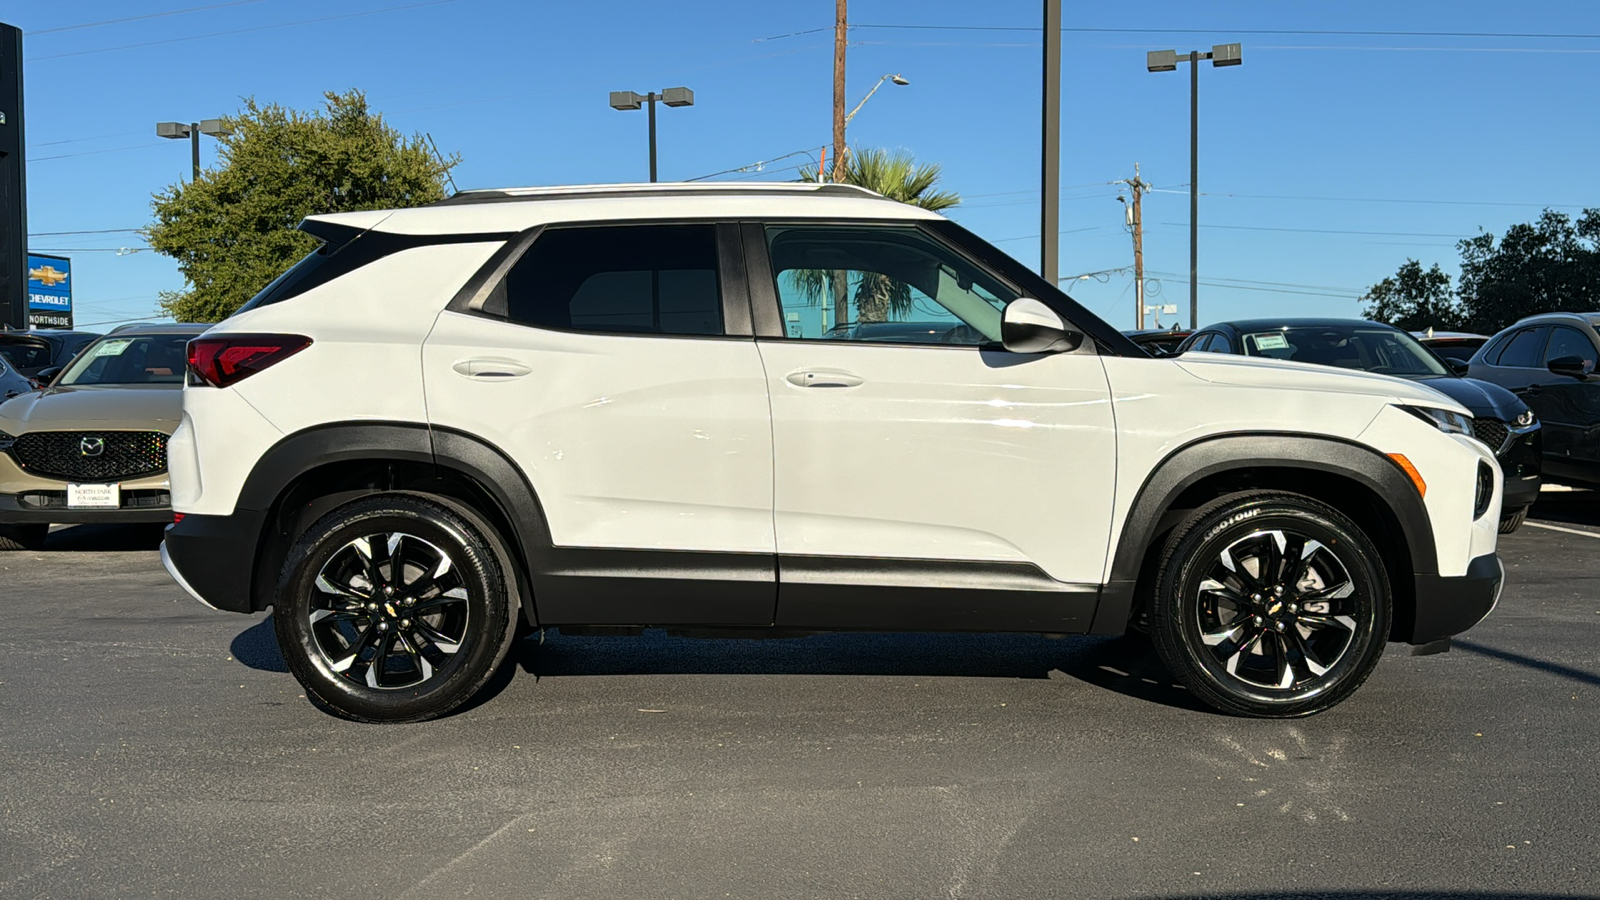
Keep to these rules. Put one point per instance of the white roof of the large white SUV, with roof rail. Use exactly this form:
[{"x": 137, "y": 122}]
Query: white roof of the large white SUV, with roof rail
[{"x": 519, "y": 209}]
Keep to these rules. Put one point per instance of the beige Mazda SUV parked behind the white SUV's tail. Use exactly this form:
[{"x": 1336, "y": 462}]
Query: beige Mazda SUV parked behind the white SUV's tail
[{"x": 92, "y": 446}]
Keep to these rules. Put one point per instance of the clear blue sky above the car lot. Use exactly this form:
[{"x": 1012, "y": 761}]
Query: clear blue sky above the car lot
[{"x": 1326, "y": 159}]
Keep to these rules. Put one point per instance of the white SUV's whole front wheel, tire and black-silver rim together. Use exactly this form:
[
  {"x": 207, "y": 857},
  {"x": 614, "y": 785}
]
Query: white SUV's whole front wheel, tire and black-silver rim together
[{"x": 1281, "y": 648}]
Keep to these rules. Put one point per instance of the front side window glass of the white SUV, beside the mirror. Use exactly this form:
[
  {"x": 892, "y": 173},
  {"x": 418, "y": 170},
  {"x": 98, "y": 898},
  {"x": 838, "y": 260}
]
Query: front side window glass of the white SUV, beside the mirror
[{"x": 882, "y": 284}]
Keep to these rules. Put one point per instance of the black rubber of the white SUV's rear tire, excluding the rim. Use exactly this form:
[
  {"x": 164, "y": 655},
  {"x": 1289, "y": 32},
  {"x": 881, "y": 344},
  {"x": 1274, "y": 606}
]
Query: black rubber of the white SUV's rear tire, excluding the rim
[{"x": 471, "y": 555}]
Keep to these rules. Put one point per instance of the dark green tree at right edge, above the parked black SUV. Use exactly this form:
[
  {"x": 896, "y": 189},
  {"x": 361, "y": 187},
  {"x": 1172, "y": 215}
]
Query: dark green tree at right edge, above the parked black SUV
[{"x": 1545, "y": 267}]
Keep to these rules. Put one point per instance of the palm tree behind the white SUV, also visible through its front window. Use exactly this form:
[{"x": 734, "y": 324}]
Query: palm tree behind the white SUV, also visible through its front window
[{"x": 898, "y": 177}]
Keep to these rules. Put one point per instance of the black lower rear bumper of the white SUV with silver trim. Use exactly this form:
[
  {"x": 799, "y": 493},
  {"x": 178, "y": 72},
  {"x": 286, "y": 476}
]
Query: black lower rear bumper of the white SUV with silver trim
[{"x": 214, "y": 558}]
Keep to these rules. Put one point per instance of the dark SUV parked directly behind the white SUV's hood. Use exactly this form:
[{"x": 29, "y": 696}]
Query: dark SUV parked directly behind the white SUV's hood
[{"x": 1498, "y": 419}]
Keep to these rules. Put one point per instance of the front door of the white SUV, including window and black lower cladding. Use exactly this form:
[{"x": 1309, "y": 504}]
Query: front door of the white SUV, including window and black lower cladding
[{"x": 924, "y": 476}]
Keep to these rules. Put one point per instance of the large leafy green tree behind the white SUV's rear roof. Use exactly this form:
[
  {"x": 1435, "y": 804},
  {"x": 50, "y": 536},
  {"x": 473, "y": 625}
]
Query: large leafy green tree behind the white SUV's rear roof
[{"x": 233, "y": 230}]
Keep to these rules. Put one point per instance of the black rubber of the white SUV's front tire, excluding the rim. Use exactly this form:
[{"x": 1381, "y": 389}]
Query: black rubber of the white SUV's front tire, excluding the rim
[{"x": 1178, "y": 624}]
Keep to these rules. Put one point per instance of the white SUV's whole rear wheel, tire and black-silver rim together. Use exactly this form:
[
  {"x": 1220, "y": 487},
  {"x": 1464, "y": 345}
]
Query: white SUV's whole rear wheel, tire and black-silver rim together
[{"x": 377, "y": 649}]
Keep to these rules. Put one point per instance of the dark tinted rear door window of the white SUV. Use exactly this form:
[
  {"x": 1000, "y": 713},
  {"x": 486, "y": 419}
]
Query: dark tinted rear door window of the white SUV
[{"x": 625, "y": 279}]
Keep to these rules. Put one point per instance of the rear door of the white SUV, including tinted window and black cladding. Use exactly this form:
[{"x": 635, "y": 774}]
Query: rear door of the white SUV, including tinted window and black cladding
[{"x": 615, "y": 368}]
